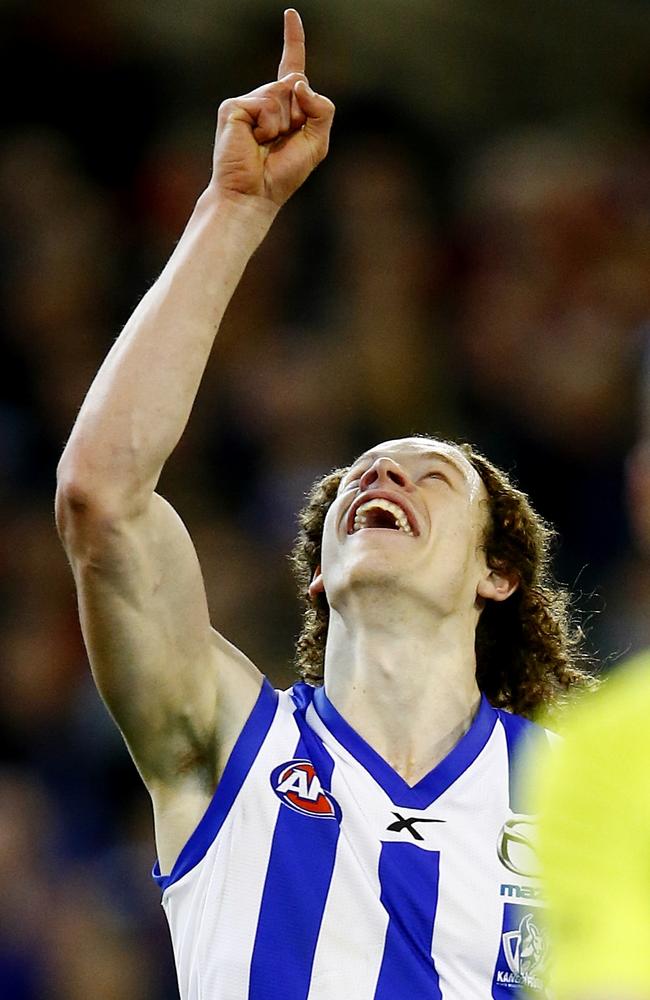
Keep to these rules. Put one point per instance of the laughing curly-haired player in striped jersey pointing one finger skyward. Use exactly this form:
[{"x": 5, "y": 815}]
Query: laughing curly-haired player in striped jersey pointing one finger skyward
[{"x": 360, "y": 839}]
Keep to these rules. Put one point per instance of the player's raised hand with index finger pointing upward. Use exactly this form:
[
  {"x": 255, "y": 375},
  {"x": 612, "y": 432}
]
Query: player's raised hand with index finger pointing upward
[{"x": 269, "y": 141}]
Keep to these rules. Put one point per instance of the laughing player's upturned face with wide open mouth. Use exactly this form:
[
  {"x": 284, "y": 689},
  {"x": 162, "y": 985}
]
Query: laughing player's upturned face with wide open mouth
[{"x": 409, "y": 514}]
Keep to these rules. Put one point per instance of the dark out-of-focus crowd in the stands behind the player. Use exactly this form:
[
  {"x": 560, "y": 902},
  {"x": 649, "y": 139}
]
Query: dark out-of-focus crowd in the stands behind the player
[{"x": 494, "y": 290}]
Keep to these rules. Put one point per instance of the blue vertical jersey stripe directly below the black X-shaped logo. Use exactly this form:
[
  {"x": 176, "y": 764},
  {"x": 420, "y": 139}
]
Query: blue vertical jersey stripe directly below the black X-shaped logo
[{"x": 409, "y": 892}]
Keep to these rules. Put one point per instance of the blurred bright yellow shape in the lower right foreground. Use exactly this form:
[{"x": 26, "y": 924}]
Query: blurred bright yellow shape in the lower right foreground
[{"x": 594, "y": 842}]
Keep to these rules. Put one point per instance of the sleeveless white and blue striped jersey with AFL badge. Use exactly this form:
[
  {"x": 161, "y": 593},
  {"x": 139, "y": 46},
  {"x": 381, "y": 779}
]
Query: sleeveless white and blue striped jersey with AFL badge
[{"x": 318, "y": 873}]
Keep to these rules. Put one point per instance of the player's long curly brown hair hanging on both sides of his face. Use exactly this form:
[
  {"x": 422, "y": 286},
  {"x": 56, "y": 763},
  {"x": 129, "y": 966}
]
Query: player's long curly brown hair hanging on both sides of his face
[{"x": 529, "y": 650}]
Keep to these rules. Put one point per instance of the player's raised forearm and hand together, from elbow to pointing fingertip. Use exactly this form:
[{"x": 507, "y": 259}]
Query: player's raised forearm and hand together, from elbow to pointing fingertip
[{"x": 267, "y": 143}]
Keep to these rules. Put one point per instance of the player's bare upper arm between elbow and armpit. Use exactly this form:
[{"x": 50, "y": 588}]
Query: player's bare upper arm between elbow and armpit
[{"x": 158, "y": 665}]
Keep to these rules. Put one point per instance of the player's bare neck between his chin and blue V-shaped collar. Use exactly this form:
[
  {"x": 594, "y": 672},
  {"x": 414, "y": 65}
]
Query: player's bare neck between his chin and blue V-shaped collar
[{"x": 405, "y": 683}]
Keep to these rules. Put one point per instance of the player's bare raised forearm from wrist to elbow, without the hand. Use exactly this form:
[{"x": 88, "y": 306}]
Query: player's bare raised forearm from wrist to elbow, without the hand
[{"x": 141, "y": 398}]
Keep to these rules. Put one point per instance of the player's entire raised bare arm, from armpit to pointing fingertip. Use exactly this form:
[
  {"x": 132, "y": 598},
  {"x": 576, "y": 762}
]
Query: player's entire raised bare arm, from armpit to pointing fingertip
[{"x": 179, "y": 692}]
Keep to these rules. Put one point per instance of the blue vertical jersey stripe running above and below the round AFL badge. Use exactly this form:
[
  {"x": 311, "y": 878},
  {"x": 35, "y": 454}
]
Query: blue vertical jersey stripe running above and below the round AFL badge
[{"x": 295, "y": 892}]
